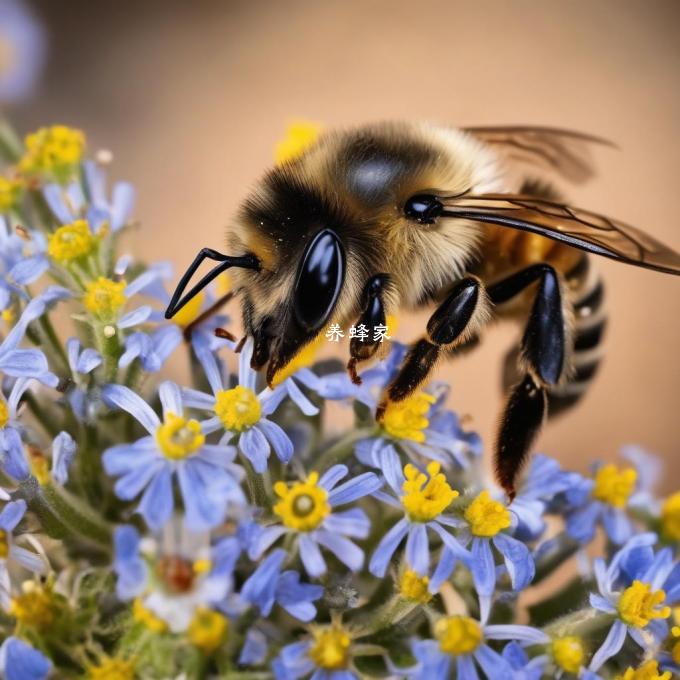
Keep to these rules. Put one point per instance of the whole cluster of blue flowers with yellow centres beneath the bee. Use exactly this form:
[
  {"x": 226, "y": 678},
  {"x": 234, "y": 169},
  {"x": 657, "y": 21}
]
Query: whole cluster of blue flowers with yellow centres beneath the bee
[{"x": 156, "y": 529}]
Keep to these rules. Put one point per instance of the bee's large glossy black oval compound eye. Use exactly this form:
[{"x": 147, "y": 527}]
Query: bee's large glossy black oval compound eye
[{"x": 319, "y": 280}]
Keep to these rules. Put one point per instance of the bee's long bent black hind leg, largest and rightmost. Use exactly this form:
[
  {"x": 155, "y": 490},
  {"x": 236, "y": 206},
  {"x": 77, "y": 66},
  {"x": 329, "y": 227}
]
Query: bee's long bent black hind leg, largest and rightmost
[{"x": 542, "y": 359}]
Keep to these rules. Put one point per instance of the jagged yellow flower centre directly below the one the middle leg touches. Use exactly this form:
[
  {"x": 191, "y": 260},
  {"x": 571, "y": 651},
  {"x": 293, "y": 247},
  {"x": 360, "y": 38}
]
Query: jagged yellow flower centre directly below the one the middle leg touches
[{"x": 425, "y": 496}]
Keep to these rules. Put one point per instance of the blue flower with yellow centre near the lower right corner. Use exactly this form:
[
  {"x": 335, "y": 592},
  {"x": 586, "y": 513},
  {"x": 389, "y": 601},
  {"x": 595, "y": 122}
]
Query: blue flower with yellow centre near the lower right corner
[{"x": 631, "y": 589}]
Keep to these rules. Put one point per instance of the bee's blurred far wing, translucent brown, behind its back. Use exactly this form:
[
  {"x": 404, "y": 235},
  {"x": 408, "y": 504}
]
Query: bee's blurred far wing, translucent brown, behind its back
[{"x": 565, "y": 152}]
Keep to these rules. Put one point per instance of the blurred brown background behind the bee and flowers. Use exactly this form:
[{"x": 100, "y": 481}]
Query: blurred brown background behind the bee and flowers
[{"x": 192, "y": 96}]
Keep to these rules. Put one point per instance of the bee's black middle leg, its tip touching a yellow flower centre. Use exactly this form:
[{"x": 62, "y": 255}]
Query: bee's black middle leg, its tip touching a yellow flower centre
[{"x": 456, "y": 320}]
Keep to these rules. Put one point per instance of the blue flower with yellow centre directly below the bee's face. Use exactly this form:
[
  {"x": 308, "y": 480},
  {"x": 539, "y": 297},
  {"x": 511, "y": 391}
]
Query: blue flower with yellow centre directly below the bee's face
[{"x": 240, "y": 411}]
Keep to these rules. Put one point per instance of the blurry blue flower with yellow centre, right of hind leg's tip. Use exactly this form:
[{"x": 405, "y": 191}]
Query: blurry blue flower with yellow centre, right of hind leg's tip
[{"x": 602, "y": 499}]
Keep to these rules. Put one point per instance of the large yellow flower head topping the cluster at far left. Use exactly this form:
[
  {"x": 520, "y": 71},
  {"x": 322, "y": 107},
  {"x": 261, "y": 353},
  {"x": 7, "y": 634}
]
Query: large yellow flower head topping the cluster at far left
[{"x": 56, "y": 150}]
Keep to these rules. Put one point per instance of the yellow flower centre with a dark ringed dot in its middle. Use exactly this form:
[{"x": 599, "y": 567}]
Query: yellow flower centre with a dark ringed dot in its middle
[{"x": 303, "y": 505}]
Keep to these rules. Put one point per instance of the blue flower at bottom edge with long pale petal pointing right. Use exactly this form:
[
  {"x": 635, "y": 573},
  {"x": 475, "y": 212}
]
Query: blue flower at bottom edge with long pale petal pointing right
[{"x": 461, "y": 643}]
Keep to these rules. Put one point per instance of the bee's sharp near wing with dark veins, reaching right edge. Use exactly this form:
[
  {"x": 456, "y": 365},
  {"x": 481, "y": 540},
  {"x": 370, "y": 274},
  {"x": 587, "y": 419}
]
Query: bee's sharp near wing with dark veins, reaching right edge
[{"x": 579, "y": 228}]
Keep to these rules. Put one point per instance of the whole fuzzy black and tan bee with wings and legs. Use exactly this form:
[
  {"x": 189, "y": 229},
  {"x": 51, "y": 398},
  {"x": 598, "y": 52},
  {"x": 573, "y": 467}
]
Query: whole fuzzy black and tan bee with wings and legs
[{"x": 398, "y": 216}]
